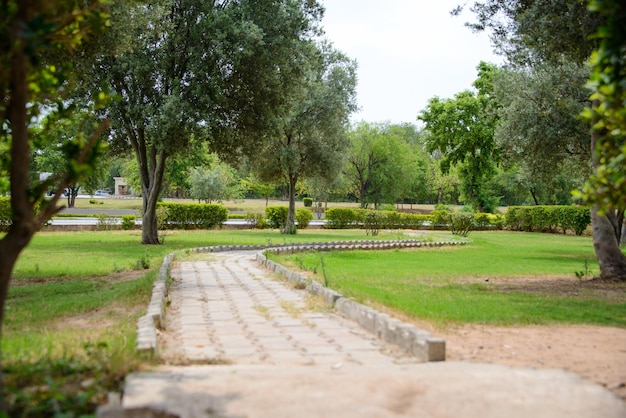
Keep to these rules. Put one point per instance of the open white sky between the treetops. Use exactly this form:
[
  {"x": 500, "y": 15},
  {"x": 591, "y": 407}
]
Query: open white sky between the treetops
[{"x": 407, "y": 52}]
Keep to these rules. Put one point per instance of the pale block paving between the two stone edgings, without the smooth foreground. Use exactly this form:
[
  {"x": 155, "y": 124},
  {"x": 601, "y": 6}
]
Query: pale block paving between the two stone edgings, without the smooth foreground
[{"x": 229, "y": 311}]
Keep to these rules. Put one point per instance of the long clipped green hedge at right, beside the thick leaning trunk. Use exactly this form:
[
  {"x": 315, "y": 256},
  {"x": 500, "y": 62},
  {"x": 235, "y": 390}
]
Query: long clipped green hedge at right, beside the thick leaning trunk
[{"x": 548, "y": 218}]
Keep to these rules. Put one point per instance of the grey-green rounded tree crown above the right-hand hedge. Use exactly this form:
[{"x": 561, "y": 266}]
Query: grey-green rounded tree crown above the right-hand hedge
[{"x": 539, "y": 127}]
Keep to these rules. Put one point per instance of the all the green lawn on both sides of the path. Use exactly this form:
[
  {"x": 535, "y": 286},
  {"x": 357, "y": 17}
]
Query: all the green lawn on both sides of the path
[{"x": 75, "y": 296}]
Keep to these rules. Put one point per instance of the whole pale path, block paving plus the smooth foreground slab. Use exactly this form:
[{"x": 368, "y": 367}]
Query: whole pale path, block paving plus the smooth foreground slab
[{"x": 240, "y": 343}]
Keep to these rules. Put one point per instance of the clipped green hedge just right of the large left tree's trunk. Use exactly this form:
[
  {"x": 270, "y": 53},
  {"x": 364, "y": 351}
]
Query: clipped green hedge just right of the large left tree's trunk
[{"x": 191, "y": 216}]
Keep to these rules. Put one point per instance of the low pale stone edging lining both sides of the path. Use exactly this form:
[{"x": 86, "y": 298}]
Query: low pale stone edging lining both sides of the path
[{"x": 419, "y": 343}]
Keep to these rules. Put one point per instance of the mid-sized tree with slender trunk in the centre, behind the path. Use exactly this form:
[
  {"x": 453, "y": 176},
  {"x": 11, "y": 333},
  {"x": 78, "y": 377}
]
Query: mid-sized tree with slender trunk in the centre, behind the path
[{"x": 310, "y": 139}]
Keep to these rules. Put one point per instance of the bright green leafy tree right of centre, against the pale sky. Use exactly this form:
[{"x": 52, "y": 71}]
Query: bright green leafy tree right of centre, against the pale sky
[{"x": 462, "y": 129}]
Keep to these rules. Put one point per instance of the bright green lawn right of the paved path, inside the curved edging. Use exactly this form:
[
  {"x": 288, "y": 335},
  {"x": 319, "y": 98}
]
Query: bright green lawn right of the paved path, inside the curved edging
[{"x": 500, "y": 278}]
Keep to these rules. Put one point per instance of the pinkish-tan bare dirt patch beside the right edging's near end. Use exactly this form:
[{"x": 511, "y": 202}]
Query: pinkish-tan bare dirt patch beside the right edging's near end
[{"x": 595, "y": 353}]
